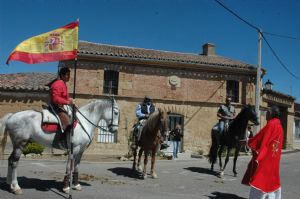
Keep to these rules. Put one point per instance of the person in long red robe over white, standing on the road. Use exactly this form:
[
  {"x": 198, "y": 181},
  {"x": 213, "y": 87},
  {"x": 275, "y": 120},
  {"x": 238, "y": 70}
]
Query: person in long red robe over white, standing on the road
[{"x": 263, "y": 169}]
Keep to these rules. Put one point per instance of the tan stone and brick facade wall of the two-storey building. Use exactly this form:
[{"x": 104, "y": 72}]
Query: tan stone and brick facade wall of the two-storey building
[{"x": 196, "y": 96}]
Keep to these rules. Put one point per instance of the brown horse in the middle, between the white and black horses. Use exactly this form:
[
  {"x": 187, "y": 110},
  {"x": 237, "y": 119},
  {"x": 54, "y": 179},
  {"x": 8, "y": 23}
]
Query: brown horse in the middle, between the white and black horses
[{"x": 150, "y": 141}]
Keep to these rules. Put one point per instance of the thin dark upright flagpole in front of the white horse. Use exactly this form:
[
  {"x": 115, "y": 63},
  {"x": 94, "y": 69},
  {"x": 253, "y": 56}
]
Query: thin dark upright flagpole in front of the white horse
[{"x": 71, "y": 156}]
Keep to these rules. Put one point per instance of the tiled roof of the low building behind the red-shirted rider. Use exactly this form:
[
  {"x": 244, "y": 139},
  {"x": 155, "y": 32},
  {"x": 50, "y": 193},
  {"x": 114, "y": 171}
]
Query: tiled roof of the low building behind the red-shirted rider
[{"x": 26, "y": 81}]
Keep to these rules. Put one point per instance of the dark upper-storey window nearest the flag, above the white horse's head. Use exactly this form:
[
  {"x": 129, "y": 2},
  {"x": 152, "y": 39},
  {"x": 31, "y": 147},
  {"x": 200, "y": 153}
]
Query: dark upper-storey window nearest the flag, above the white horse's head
[{"x": 111, "y": 82}]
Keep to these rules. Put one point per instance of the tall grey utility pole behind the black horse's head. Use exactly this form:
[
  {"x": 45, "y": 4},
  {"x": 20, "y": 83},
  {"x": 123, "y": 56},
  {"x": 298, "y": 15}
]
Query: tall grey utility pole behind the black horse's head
[{"x": 258, "y": 81}]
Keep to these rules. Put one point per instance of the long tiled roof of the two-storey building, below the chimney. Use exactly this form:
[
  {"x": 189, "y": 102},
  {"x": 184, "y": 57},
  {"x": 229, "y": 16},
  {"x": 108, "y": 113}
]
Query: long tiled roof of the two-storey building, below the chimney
[{"x": 96, "y": 49}]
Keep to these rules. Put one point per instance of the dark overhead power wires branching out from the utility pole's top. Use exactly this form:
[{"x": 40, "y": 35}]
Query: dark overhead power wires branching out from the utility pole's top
[{"x": 268, "y": 44}]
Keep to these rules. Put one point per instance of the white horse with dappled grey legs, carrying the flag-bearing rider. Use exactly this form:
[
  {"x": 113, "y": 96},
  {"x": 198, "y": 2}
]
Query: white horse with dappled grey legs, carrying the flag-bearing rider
[{"x": 25, "y": 125}]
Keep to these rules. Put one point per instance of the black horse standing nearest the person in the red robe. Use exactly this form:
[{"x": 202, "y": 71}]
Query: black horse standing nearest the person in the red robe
[{"x": 236, "y": 132}]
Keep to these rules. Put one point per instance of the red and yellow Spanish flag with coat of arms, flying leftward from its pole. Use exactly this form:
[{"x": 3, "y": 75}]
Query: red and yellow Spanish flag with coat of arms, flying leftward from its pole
[{"x": 59, "y": 44}]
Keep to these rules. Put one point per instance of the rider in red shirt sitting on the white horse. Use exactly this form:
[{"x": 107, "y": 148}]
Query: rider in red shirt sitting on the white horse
[{"x": 60, "y": 96}]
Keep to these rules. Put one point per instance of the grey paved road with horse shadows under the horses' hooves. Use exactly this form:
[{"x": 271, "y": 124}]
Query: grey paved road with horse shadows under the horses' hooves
[{"x": 188, "y": 179}]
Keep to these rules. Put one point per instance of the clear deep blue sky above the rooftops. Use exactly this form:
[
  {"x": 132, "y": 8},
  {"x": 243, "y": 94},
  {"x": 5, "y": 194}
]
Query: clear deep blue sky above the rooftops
[{"x": 171, "y": 25}]
